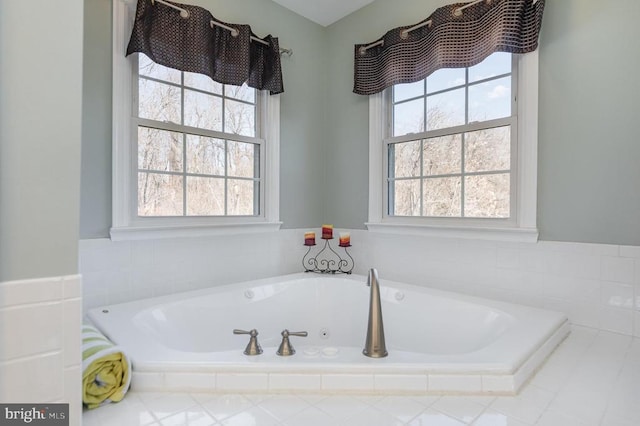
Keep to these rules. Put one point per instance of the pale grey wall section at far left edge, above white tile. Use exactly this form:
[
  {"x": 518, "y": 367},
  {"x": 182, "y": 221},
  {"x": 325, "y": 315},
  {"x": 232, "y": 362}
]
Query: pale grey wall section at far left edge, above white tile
[{"x": 40, "y": 134}]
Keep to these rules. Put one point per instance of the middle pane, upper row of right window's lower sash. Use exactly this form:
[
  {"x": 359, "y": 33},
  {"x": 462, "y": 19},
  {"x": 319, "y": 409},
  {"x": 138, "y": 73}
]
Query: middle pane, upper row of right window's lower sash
[{"x": 443, "y": 155}]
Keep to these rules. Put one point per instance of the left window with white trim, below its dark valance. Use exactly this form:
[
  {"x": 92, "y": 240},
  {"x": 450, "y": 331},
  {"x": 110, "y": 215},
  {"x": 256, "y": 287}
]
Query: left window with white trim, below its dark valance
[{"x": 191, "y": 156}]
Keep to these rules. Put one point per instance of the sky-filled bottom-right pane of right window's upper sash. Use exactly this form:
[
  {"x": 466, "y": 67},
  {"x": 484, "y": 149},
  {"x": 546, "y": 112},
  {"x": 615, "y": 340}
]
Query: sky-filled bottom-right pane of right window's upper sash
[{"x": 490, "y": 100}]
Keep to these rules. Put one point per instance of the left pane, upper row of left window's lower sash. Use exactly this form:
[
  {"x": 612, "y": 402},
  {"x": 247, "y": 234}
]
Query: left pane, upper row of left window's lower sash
[{"x": 159, "y": 150}]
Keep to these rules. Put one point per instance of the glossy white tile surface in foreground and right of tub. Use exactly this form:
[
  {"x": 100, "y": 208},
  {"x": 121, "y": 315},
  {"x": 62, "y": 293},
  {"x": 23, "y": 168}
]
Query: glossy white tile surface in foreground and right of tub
[{"x": 593, "y": 378}]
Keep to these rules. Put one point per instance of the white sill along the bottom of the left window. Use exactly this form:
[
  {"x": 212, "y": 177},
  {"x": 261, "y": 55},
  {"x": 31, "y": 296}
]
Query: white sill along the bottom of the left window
[{"x": 151, "y": 233}]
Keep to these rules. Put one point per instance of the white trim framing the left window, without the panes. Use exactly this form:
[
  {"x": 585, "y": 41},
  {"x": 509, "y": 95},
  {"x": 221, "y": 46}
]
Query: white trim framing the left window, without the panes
[{"x": 125, "y": 226}]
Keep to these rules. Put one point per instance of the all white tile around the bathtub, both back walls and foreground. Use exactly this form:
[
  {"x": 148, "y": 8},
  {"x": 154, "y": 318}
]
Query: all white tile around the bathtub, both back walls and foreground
[{"x": 592, "y": 379}]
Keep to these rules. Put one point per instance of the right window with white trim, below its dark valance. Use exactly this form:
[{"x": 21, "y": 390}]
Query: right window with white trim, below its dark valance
[{"x": 458, "y": 152}]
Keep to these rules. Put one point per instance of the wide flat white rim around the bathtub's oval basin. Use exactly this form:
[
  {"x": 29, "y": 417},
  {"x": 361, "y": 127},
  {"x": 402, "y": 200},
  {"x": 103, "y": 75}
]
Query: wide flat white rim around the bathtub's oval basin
[{"x": 503, "y": 356}]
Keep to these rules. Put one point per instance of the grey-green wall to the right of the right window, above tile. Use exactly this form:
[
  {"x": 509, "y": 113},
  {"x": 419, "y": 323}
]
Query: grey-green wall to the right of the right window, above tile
[{"x": 589, "y": 153}]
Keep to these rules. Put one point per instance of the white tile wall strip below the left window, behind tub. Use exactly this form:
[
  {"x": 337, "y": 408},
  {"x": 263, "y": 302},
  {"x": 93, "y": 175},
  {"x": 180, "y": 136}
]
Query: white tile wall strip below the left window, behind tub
[{"x": 129, "y": 270}]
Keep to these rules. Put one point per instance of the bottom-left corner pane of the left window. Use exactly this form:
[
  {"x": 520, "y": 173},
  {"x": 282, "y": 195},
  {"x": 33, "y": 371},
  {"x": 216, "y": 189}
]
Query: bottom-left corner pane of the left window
[{"x": 159, "y": 195}]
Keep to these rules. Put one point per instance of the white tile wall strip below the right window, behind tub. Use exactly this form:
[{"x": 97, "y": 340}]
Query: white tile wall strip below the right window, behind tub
[{"x": 596, "y": 285}]
